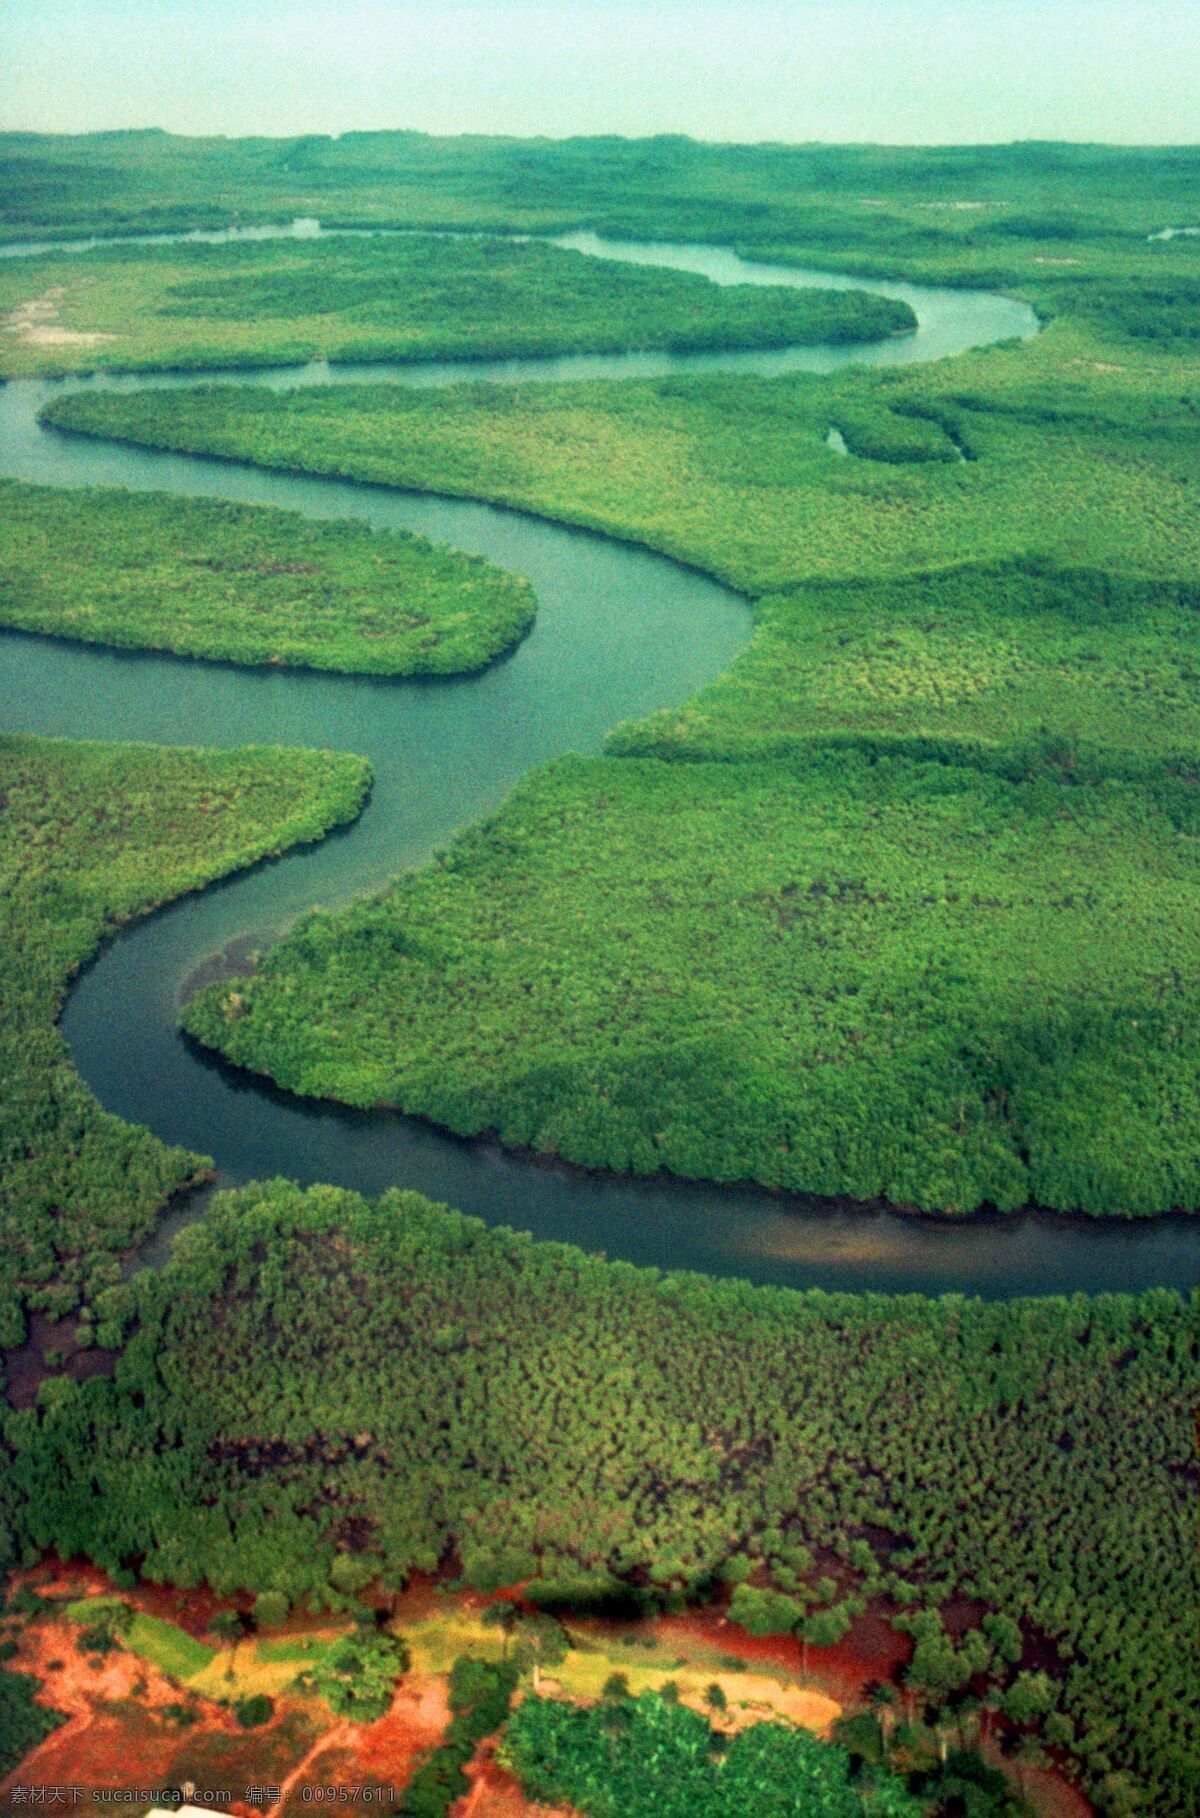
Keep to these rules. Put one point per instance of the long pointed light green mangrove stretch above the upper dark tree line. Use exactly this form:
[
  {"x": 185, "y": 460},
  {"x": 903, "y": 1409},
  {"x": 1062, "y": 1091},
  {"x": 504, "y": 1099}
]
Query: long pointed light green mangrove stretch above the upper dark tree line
[{"x": 1072, "y": 466}]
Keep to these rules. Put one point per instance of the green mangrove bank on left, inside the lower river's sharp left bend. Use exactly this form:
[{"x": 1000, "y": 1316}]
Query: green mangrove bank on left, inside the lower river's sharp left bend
[{"x": 94, "y": 837}]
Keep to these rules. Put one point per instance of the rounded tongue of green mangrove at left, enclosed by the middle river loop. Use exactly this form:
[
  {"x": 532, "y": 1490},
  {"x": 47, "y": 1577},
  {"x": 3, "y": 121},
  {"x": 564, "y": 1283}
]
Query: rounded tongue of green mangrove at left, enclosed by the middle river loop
[{"x": 248, "y": 584}]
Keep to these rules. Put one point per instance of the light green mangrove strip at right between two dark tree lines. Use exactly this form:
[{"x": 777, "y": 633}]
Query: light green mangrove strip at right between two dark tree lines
[{"x": 965, "y": 661}]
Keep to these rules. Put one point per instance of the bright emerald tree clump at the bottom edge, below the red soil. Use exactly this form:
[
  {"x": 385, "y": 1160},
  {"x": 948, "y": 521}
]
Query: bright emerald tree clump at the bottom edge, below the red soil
[{"x": 654, "y": 1759}]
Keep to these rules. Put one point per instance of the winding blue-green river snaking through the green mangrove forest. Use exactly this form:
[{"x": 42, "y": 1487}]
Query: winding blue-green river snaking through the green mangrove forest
[{"x": 619, "y": 634}]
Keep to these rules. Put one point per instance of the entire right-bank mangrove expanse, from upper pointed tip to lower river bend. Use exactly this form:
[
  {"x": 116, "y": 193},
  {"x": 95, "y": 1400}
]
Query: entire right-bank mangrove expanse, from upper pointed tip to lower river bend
[{"x": 1026, "y": 612}]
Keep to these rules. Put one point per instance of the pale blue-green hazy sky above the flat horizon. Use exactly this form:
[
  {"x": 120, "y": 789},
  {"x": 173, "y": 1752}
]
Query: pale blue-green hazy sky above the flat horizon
[{"x": 861, "y": 70}]
